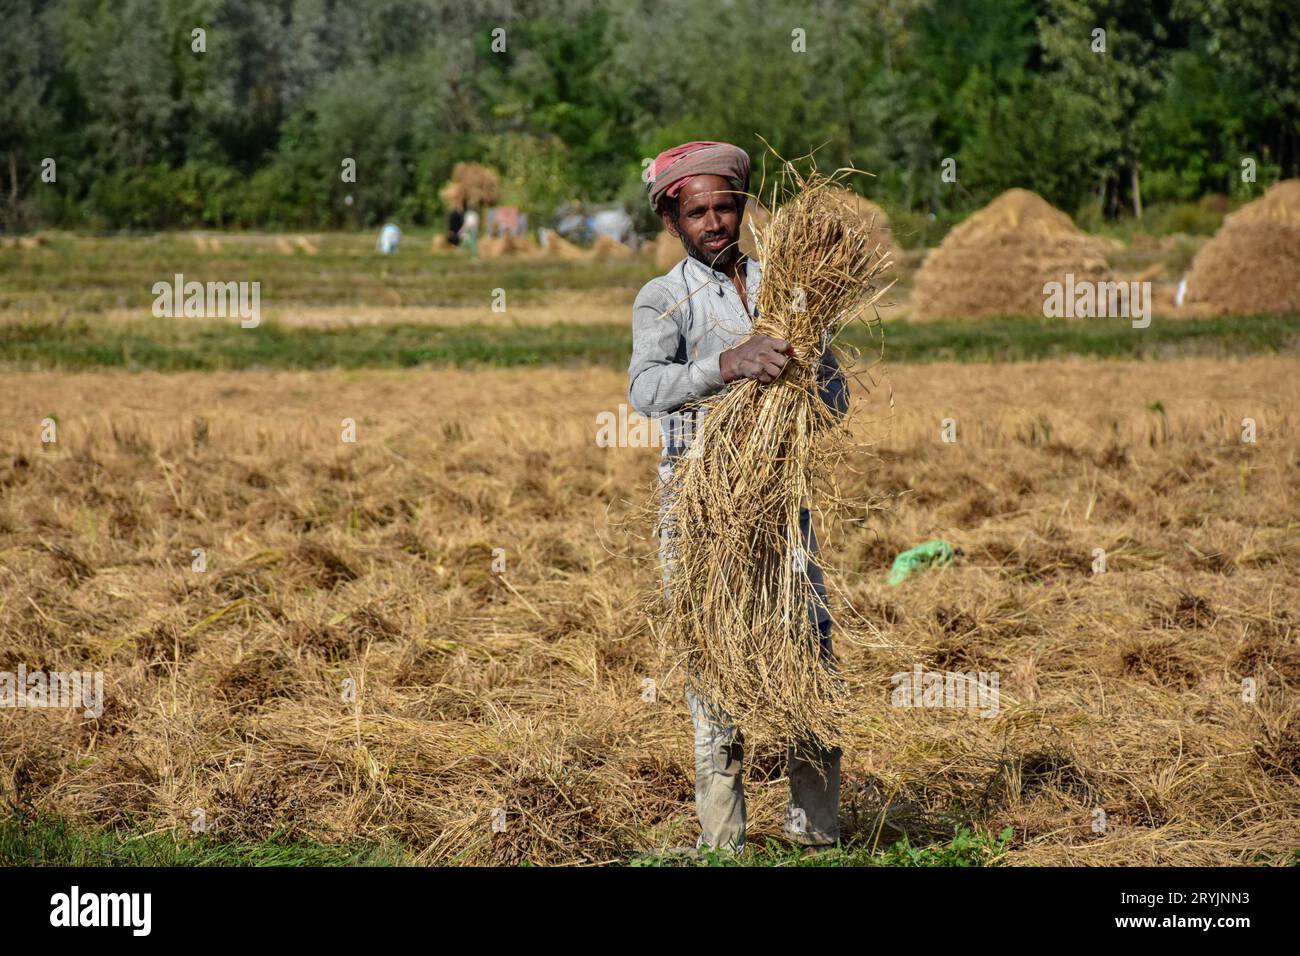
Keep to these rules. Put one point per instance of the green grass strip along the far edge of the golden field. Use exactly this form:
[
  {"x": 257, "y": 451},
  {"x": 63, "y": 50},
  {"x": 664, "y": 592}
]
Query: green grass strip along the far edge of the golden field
[{"x": 175, "y": 345}]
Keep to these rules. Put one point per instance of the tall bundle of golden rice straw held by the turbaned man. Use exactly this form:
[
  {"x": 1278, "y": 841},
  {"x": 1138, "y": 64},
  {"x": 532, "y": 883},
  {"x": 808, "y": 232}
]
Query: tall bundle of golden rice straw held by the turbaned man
[{"x": 739, "y": 590}]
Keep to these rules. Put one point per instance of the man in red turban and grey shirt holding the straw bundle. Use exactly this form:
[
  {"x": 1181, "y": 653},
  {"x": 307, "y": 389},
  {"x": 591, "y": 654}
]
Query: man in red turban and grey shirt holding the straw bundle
[{"x": 692, "y": 335}]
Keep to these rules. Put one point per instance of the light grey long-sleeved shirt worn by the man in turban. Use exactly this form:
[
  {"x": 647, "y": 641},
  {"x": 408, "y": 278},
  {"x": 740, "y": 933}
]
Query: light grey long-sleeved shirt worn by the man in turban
[{"x": 682, "y": 325}]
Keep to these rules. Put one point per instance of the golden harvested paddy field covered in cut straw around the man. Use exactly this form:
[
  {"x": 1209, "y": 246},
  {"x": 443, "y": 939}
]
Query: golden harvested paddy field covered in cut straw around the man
[{"x": 432, "y": 634}]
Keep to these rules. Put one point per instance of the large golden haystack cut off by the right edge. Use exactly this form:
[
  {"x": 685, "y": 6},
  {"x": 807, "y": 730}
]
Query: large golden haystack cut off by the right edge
[{"x": 1253, "y": 265}]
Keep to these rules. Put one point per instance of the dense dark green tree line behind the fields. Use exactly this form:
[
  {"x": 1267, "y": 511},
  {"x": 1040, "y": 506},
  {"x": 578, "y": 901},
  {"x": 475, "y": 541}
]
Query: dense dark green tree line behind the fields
[{"x": 141, "y": 122}]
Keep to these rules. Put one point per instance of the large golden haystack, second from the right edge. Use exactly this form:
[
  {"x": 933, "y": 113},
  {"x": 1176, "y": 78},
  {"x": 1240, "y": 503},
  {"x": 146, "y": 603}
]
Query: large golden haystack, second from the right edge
[{"x": 999, "y": 259}]
